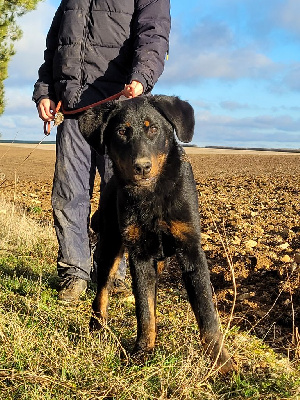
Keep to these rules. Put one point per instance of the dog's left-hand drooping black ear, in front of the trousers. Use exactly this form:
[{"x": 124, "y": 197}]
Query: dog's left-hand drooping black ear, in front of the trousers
[{"x": 92, "y": 124}]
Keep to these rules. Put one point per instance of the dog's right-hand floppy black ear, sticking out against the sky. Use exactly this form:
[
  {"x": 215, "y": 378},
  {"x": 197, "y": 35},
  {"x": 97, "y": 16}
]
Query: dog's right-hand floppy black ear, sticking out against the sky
[{"x": 179, "y": 113}]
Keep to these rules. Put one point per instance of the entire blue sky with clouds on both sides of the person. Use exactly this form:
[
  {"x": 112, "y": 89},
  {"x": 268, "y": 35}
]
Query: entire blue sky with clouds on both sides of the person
[{"x": 236, "y": 61}]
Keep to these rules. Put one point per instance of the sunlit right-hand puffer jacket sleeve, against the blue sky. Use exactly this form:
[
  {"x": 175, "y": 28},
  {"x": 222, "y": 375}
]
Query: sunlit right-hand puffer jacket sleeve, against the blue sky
[{"x": 151, "y": 31}]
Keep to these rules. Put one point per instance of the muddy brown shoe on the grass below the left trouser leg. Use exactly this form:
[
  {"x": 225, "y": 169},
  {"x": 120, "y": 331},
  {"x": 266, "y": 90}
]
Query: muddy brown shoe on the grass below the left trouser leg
[{"x": 71, "y": 288}]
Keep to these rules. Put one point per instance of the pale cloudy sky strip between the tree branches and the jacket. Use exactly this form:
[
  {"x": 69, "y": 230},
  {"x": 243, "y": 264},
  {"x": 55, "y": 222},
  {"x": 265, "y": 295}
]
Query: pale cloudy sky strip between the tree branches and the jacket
[{"x": 20, "y": 117}]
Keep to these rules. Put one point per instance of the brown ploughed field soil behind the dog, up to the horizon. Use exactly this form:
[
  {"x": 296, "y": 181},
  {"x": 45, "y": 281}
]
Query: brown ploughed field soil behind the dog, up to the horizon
[{"x": 249, "y": 205}]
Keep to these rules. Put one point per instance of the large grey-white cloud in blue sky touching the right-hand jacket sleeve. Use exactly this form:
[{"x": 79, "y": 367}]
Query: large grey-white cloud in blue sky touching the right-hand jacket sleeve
[{"x": 213, "y": 51}]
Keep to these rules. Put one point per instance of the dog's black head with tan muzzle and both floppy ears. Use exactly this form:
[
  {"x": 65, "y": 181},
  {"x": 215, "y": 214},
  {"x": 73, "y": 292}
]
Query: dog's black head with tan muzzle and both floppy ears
[{"x": 138, "y": 134}]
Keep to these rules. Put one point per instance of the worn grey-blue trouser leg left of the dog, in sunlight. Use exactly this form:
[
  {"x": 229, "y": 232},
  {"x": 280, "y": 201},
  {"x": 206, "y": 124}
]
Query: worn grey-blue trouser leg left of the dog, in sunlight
[{"x": 72, "y": 187}]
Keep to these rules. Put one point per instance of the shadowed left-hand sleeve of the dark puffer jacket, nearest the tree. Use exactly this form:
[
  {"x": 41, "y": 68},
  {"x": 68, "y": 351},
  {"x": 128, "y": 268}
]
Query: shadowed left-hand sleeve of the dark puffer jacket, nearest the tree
[{"x": 44, "y": 87}]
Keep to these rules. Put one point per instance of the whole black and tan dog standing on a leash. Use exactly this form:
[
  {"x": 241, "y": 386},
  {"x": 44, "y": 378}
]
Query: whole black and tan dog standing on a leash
[{"x": 150, "y": 207}]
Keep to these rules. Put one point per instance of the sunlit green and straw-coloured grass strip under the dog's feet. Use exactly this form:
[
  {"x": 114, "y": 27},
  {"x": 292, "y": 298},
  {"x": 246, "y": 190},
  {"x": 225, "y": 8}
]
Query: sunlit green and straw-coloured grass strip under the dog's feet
[{"x": 46, "y": 351}]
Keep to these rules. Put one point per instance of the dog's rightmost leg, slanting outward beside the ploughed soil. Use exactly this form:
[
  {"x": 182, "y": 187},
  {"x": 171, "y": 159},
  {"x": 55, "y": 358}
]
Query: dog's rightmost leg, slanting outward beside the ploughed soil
[{"x": 197, "y": 283}]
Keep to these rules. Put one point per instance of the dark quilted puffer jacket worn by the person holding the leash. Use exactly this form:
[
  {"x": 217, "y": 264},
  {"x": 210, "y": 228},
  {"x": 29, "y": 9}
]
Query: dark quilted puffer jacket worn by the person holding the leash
[{"x": 94, "y": 47}]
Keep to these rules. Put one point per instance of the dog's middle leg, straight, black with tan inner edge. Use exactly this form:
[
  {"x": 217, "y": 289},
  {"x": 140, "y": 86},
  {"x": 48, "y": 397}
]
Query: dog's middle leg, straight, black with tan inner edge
[{"x": 144, "y": 280}]
